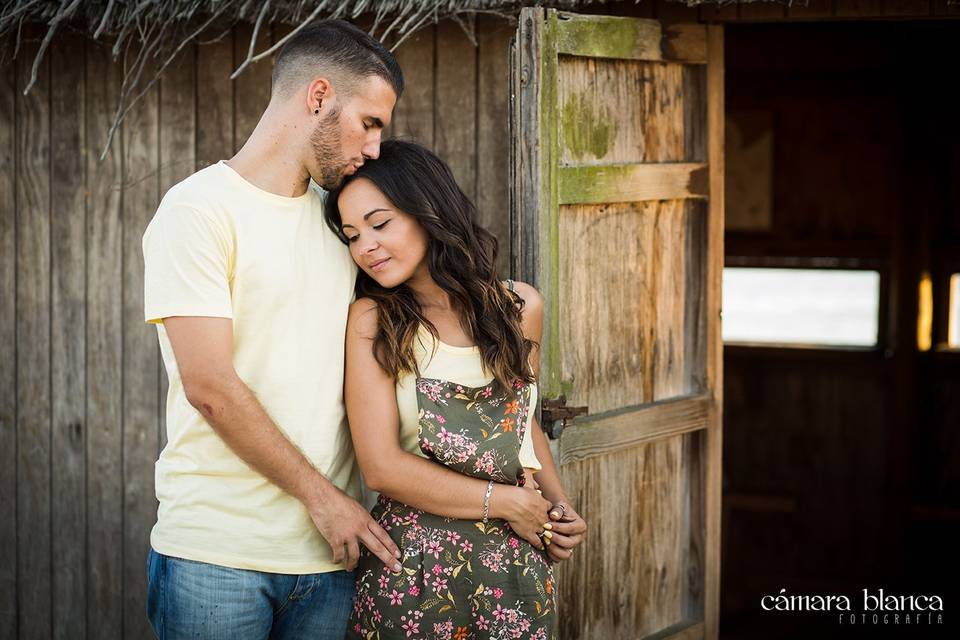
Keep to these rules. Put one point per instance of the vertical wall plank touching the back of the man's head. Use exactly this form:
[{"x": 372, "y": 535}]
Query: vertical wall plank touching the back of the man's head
[{"x": 252, "y": 86}]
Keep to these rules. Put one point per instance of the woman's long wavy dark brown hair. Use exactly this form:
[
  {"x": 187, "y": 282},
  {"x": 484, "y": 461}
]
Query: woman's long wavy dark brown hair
[{"x": 461, "y": 256}]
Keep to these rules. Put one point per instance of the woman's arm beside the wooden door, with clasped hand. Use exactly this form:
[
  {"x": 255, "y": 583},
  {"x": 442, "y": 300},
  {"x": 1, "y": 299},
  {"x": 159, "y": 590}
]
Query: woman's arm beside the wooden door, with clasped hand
[{"x": 567, "y": 527}]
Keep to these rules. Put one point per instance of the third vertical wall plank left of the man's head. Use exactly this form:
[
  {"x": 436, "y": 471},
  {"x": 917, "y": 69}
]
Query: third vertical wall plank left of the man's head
[{"x": 177, "y": 143}]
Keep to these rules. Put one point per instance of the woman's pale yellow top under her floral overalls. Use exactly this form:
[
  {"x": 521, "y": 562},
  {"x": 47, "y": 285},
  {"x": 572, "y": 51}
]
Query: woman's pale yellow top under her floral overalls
[{"x": 462, "y": 365}]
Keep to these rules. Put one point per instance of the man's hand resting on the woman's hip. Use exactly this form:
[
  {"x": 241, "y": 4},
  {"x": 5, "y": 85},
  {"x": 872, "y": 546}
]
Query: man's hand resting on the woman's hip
[{"x": 344, "y": 523}]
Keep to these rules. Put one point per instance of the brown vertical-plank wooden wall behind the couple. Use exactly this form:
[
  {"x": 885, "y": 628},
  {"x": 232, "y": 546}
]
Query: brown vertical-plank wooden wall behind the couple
[{"x": 81, "y": 382}]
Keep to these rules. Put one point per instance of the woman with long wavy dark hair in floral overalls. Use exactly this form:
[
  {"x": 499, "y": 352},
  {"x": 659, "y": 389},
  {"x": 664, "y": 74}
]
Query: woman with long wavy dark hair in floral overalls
[{"x": 439, "y": 371}]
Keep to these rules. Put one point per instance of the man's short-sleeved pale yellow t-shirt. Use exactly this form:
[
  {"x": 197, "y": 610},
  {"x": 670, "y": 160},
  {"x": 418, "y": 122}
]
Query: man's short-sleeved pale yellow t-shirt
[{"x": 219, "y": 246}]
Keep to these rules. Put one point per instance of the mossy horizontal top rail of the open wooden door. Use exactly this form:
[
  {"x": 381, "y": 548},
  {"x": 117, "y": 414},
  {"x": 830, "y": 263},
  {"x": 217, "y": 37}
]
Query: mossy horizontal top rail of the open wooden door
[{"x": 630, "y": 39}]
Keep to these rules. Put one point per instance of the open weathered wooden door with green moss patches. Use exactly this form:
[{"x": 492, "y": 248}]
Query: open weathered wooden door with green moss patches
[{"x": 618, "y": 219}]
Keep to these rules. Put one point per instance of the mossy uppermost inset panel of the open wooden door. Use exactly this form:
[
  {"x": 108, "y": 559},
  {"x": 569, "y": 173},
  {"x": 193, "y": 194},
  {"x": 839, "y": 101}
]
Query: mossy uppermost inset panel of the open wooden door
[{"x": 620, "y": 111}]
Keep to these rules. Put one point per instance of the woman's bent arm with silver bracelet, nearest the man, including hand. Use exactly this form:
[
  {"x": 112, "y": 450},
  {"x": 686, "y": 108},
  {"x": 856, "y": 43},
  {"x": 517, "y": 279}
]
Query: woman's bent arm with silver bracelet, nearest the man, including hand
[{"x": 371, "y": 400}]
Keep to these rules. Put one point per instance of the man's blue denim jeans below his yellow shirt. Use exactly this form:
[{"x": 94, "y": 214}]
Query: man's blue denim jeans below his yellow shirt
[{"x": 189, "y": 599}]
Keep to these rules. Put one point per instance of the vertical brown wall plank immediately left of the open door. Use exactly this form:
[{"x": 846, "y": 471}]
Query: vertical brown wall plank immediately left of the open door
[{"x": 493, "y": 135}]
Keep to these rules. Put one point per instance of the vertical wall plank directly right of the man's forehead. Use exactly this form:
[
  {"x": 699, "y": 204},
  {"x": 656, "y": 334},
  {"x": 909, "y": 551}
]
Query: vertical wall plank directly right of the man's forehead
[{"x": 414, "y": 114}]
